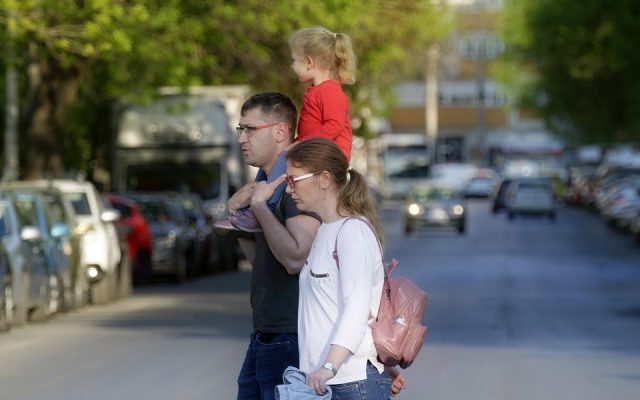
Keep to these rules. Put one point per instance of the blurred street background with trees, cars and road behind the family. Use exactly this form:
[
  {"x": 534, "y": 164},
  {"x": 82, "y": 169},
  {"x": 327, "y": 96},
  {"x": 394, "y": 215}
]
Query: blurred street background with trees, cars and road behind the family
[{"x": 501, "y": 139}]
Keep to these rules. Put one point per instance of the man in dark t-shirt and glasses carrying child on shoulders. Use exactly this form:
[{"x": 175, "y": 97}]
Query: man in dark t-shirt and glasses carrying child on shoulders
[{"x": 267, "y": 126}]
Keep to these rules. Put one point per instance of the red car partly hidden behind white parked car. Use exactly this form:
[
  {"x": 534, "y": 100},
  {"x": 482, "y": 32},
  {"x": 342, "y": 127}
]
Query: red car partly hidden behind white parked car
[{"x": 133, "y": 225}]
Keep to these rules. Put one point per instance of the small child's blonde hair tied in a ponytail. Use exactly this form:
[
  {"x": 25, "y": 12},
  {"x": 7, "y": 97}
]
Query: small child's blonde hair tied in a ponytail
[{"x": 333, "y": 51}]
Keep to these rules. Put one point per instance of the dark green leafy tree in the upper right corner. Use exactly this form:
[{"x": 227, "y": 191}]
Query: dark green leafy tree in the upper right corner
[{"x": 576, "y": 62}]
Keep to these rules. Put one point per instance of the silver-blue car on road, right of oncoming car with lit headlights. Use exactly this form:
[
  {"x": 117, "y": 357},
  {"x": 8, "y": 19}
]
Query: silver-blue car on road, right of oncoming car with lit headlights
[{"x": 533, "y": 196}]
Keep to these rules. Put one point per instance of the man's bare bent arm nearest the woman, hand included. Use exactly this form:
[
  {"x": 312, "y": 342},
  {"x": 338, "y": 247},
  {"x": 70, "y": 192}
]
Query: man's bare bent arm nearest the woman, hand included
[{"x": 289, "y": 243}]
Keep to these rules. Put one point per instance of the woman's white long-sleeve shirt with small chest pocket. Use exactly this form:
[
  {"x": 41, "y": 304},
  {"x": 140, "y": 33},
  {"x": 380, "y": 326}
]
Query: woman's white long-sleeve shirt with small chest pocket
[{"x": 335, "y": 304}]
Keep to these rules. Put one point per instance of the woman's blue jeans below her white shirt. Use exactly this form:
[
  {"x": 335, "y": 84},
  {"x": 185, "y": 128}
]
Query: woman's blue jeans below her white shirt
[{"x": 377, "y": 386}]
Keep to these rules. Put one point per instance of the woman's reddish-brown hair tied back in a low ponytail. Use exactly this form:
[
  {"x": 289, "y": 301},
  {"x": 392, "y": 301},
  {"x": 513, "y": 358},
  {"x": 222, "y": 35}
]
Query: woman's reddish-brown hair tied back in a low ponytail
[{"x": 354, "y": 197}]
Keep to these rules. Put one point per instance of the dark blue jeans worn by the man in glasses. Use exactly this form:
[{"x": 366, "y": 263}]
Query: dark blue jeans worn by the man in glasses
[{"x": 268, "y": 355}]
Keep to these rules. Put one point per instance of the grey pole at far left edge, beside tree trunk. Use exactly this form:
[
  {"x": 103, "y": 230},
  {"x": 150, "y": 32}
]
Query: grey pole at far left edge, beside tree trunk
[{"x": 11, "y": 112}]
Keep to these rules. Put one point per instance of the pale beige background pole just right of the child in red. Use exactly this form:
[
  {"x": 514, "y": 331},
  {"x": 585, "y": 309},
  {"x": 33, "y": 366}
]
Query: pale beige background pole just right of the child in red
[{"x": 431, "y": 106}]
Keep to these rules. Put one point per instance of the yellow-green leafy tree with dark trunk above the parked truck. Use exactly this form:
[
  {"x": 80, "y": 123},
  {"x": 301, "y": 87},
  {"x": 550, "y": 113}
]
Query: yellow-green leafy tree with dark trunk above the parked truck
[{"x": 80, "y": 55}]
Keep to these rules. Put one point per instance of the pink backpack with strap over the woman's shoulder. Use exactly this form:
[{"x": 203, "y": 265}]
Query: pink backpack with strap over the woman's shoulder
[{"x": 398, "y": 333}]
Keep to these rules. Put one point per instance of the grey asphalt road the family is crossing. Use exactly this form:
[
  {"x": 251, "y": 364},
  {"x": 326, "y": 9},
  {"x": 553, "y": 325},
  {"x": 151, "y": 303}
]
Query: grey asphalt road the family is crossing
[{"x": 528, "y": 309}]
